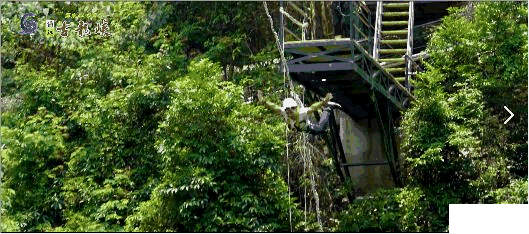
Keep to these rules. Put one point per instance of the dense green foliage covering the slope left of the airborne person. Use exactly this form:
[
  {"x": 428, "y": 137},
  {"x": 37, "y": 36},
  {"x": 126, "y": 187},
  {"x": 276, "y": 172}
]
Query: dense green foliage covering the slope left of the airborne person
[{"x": 111, "y": 129}]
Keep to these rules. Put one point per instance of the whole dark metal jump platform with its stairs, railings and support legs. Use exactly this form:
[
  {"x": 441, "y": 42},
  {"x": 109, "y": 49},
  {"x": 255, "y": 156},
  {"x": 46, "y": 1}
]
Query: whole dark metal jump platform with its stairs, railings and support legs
[{"x": 323, "y": 63}]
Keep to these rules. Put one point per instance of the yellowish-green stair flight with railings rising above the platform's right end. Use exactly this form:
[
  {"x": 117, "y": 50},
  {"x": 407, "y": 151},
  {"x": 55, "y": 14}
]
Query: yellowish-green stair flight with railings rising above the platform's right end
[{"x": 394, "y": 39}]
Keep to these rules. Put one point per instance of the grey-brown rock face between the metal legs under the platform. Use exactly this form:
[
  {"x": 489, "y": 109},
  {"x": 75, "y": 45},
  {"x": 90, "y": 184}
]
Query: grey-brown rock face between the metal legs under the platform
[{"x": 362, "y": 143}]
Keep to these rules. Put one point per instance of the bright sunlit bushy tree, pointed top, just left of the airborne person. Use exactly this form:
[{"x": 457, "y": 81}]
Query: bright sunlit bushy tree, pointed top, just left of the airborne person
[{"x": 215, "y": 161}]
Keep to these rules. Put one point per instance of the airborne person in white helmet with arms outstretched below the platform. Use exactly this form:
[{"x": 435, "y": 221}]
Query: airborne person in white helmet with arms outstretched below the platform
[{"x": 297, "y": 118}]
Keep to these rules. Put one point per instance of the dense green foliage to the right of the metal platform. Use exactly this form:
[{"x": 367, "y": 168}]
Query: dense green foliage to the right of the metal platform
[{"x": 455, "y": 147}]
